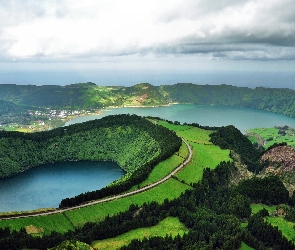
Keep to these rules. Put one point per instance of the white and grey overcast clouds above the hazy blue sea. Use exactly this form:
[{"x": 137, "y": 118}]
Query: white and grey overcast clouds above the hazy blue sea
[{"x": 98, "y": 31}]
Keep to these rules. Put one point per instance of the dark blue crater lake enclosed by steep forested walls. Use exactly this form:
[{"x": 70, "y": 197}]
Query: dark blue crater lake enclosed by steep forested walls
[{"x": 45, "y": 186}]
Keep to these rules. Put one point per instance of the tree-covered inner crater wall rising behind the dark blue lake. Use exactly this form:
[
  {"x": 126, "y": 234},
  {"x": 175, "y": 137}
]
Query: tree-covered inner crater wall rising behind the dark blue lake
[{"x": 129, "y": 140}]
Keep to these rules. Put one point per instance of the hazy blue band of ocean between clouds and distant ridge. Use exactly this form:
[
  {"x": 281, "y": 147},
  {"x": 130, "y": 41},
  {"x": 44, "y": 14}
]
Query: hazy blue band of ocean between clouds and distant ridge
[{"x": 156, "y": 77}]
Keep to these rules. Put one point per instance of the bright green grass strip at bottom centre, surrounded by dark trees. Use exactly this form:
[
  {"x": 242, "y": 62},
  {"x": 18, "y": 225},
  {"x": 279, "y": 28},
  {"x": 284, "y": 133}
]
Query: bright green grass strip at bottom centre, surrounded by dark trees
[{"x": 170, "y": 226}]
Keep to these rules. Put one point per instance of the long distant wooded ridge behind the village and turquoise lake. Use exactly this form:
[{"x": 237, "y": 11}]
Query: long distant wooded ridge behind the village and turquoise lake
[{"x": 90, "y": 96}]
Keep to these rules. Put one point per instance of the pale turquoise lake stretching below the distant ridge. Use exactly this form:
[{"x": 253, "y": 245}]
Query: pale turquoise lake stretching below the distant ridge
[{"x": 242, "y": 118}]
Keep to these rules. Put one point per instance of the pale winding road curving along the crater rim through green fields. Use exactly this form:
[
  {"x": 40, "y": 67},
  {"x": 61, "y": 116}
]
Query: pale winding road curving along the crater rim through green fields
[{"x": 188, "y": 159}]
